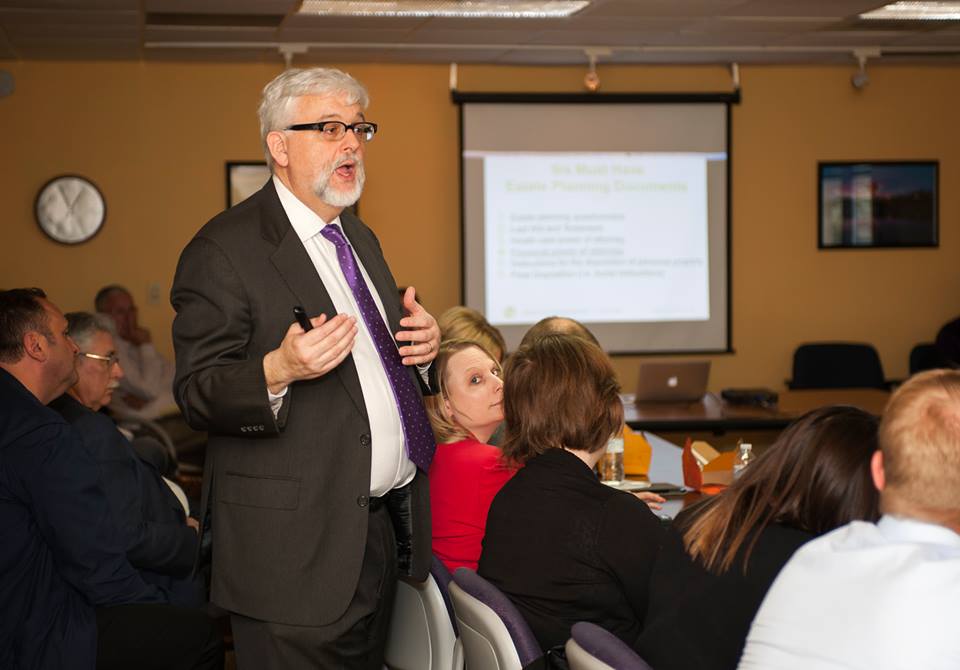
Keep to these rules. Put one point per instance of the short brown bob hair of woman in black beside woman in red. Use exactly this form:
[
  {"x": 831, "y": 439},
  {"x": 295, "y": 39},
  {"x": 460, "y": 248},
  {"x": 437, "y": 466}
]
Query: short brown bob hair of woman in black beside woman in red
[{"x": 560, "y": 391}]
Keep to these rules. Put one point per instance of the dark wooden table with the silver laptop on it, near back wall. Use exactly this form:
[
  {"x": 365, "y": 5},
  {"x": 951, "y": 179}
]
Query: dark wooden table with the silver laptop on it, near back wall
[{"x": 713, "y": 414}]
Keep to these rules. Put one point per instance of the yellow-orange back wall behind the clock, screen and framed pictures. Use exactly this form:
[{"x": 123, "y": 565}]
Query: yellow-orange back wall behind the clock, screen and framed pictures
[{"x": 154, "y": 137}]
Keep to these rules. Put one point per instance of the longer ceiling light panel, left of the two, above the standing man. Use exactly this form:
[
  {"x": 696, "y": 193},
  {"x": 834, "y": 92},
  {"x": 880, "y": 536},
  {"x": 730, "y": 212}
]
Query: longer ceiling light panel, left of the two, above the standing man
[{"x": 542, "y": 9}]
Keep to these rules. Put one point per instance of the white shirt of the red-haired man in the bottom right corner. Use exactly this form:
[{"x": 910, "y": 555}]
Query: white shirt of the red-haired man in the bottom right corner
[{"x": 864, "y": 596}]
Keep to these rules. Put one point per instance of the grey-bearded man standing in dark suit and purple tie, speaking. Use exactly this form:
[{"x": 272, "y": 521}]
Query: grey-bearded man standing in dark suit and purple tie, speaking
[{"x": 318, "y": 438}]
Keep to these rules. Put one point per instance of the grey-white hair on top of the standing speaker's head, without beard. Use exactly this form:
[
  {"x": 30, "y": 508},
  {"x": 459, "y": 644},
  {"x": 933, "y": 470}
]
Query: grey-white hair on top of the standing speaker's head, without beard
[{"x": 279, "y": 94}]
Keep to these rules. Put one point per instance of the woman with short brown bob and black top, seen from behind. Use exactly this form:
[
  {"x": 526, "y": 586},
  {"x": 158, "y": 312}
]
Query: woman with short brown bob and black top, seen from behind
[{"x": 560, "y": 544}]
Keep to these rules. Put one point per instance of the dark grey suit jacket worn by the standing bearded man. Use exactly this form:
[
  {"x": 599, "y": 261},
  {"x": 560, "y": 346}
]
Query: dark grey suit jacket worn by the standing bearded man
[{"x": 288, "y": 495}]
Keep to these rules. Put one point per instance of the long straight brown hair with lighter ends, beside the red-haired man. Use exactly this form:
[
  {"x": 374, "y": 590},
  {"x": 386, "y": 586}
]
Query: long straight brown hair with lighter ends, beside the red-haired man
[{"x": 815, "y": 477}]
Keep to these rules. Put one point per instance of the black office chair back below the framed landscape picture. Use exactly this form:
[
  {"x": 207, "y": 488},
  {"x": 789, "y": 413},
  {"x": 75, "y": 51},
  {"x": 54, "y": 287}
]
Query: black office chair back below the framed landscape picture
[{"x": 833, "y": 365}]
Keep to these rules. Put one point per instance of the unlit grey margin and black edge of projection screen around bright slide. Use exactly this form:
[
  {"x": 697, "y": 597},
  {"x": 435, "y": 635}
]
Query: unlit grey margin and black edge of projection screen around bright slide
[{"x": 622, "y": 125}]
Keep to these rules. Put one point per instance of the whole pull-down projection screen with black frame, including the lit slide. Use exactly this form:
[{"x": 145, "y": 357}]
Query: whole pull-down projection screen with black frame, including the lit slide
[{"x": 615, "y": 213}]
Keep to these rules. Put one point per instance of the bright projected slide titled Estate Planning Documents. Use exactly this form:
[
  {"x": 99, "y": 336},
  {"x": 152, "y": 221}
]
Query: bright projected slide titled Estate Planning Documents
[{"x": 601, "y": 237}]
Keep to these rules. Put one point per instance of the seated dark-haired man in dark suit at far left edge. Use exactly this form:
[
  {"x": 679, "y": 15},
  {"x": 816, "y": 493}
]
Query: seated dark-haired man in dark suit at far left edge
[{"x": 70, "y": 599}]
